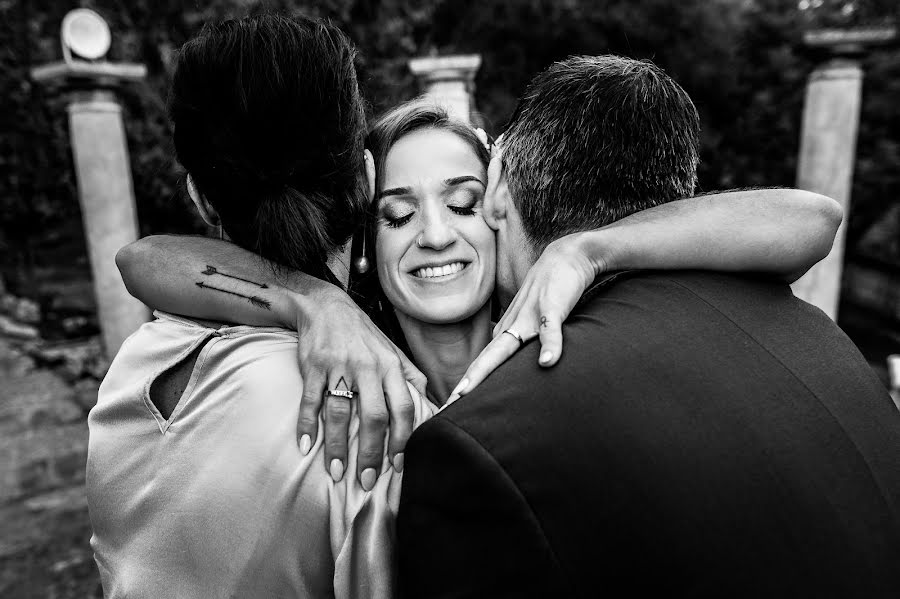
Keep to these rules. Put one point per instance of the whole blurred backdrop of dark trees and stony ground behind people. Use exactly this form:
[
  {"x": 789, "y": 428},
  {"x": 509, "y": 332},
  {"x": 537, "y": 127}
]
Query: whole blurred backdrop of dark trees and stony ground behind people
[{"x": 744, "y": 62}]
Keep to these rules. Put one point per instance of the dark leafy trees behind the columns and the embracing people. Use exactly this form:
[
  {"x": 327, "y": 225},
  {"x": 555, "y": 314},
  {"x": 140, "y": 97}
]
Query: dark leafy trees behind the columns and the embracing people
[{"x": 739, "y": 60}]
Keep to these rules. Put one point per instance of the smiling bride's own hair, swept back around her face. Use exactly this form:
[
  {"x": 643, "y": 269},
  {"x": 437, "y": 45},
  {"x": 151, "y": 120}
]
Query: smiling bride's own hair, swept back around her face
[{"x": 387, "y": 130}]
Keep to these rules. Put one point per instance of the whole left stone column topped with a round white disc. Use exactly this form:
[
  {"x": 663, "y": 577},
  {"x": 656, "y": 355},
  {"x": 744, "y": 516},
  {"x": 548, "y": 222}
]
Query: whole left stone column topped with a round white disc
[{"x": 97, "y": 136}]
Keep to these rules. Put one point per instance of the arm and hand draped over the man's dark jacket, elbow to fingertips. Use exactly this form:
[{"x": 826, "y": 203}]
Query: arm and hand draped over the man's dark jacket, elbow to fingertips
[{"x": 783, "y": 232}]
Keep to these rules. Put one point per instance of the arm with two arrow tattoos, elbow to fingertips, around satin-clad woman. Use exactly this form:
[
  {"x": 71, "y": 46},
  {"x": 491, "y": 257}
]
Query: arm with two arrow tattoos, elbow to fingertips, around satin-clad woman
[{"x": 217, "y": 280}]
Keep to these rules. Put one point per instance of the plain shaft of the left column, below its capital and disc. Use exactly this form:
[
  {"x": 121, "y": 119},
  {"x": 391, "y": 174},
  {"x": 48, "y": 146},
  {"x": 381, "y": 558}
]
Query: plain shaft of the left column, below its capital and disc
[{"x": 107, "y": 207}]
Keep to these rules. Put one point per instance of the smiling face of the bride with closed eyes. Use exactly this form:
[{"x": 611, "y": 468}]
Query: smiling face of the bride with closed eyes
[{"x": 435, "y": 254}]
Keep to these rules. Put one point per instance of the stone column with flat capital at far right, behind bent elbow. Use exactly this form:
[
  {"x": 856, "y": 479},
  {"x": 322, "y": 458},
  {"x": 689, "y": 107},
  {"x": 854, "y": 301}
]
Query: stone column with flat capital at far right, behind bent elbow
[{"x": 828, "y": 143}]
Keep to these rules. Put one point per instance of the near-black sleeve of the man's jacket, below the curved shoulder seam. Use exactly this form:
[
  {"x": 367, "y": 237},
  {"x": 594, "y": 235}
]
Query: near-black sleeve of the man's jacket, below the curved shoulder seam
[{"x": 464, "y": 530}]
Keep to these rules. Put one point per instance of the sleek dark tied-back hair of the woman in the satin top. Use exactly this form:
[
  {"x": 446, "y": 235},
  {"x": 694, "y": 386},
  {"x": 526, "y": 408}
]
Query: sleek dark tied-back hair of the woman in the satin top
[{"x": 269, "y": 123}]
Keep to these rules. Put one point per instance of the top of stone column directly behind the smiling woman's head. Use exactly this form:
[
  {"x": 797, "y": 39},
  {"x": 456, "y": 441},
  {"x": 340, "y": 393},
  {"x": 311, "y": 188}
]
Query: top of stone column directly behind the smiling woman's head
[{"x": 450, "y": 80}]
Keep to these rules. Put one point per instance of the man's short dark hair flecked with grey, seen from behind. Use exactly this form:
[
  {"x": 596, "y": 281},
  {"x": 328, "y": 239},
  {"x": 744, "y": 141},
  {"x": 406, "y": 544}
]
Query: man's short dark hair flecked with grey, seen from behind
[{"x": 594, "y": 139}]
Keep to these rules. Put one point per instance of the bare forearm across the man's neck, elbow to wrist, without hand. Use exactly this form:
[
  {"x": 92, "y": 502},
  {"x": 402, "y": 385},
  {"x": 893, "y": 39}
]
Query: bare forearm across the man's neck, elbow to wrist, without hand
[{"x": 783, "y": 232}]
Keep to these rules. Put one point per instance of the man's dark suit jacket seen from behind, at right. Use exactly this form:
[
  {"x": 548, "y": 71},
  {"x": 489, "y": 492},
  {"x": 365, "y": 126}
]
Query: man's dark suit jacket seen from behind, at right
[{"x": 704, "y": 435}]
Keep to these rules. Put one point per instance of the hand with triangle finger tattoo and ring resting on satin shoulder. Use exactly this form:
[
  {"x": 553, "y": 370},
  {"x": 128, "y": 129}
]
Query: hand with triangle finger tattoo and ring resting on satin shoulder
[{"x": 340, "y": 348}]
